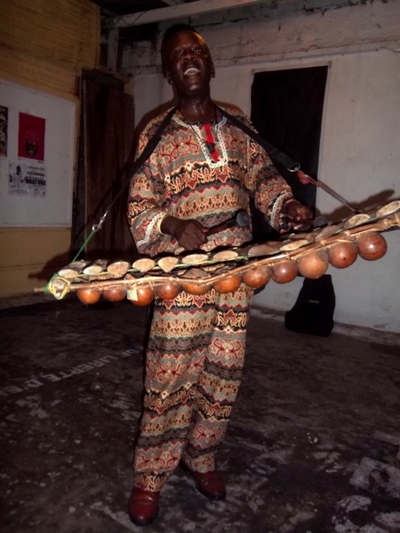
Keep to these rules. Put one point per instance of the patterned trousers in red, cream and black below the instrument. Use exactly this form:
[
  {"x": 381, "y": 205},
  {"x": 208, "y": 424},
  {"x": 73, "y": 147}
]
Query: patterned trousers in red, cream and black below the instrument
[{"x": 194, "y": 364}]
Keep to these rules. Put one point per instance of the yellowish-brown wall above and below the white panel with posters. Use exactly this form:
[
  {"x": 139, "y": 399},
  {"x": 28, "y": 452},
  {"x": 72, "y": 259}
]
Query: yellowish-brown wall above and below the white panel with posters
[{"x": 43, "y": 46}]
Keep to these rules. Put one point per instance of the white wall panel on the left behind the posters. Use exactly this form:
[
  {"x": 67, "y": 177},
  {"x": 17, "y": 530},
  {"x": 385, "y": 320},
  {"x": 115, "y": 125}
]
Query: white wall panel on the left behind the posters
[{"x": 55, "y": 207}]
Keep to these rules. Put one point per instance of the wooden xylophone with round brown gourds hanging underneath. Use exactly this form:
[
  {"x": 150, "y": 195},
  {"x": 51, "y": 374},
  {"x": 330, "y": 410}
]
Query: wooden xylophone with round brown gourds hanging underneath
[{"x": 308, "y": 254}]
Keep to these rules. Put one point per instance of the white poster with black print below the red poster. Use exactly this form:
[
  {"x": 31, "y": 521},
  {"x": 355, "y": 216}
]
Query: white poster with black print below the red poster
[{"x": 27, "y": 180}]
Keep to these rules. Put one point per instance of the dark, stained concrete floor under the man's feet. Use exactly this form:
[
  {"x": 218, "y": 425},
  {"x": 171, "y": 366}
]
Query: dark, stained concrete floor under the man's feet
[{"x": 313, "y": 446}]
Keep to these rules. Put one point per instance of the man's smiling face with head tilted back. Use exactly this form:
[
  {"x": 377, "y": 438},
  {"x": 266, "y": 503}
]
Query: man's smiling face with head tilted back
[{"x": 189, "y": 64}]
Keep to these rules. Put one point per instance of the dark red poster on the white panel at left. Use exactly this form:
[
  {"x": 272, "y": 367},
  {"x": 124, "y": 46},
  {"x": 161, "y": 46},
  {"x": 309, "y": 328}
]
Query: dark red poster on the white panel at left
[{"x": 31, "y": 136}]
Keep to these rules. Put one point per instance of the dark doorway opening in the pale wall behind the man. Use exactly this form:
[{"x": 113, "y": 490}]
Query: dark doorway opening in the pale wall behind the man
[{"x": 286, "y": 109}]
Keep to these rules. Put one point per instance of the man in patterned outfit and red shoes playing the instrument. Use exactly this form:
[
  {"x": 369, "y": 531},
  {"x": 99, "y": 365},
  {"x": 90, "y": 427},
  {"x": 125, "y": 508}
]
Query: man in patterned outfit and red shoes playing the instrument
[{"x": 201, "y": 173}]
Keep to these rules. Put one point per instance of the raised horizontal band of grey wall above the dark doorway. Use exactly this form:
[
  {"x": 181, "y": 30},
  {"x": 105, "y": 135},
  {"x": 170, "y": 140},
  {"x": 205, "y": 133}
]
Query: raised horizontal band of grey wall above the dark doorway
[{"x": 295, "y": 29}]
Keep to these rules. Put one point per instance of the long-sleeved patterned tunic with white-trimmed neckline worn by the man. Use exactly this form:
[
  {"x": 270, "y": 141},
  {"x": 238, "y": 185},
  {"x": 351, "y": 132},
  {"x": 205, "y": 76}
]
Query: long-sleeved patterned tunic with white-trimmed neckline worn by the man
[{"x": 183, "y": 179}]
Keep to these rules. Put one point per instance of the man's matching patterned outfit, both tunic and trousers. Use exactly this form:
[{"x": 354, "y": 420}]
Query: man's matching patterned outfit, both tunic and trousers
[{"x": 196, "y": 346}]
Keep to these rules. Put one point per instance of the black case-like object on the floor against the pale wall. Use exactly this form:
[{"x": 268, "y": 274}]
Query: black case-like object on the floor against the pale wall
[{"x": 313, "y": 311}]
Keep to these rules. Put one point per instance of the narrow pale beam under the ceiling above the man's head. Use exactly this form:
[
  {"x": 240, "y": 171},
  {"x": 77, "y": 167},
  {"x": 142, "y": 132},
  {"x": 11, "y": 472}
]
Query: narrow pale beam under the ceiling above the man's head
[{"x": 180, "y": 11}]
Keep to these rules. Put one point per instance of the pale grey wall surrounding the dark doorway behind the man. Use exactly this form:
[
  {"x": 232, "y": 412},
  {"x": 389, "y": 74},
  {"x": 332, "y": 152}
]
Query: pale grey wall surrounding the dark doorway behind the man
[{"x": 359, "y": 155}]
